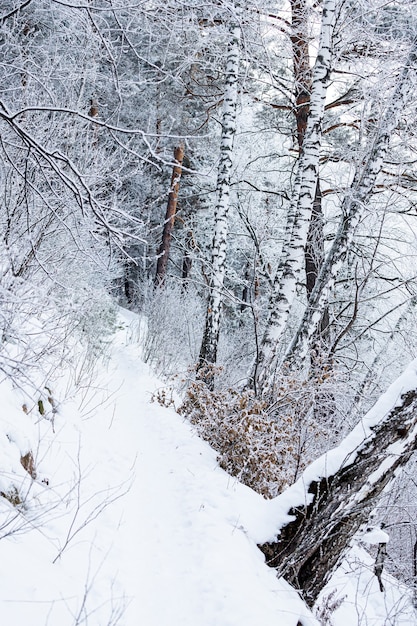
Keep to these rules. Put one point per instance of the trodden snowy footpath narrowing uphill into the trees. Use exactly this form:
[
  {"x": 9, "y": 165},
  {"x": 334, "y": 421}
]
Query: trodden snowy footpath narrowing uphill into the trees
[{"x": 194, "y": 563}]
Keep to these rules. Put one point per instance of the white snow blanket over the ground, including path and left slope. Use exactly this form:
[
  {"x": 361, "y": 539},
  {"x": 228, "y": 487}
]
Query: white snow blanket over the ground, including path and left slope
[{"x": 130, "y": 522}]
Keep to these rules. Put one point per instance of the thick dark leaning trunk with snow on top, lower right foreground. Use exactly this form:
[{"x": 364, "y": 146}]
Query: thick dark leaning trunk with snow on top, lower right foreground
[{"x": 337, "y": 493}]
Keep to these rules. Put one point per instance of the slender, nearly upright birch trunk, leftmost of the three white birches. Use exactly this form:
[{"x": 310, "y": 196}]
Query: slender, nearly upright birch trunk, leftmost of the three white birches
[{"x": 208, "y": 351}]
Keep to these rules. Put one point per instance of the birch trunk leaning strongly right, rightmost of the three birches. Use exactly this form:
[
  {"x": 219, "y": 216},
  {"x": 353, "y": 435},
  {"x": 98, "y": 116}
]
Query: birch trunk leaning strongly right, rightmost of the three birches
[{"x": 353, "y": 208}]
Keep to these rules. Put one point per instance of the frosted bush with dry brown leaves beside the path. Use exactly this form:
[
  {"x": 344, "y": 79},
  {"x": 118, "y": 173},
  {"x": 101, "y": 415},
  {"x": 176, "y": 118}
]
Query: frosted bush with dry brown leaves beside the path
[{"x": 265, "y": 445}]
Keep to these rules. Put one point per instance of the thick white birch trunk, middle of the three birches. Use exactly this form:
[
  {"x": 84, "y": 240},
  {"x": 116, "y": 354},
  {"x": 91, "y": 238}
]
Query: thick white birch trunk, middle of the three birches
[{"x": 290, "y": 268}]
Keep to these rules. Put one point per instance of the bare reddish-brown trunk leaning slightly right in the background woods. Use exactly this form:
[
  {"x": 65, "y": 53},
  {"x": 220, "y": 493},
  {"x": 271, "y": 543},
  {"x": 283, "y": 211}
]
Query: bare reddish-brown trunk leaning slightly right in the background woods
[{"x": 164, "y": 248}]
